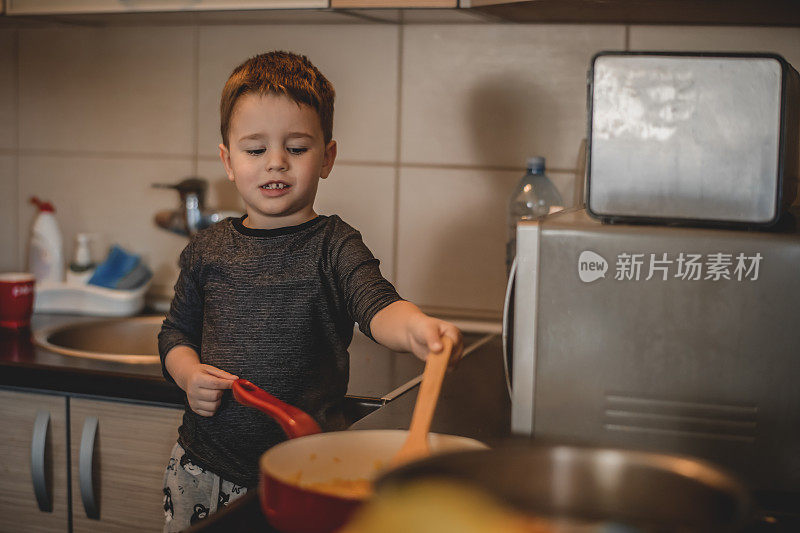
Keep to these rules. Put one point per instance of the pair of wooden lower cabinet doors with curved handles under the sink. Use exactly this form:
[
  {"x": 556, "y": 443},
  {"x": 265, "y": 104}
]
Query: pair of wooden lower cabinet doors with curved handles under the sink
[{"x": 123, "y": 464}]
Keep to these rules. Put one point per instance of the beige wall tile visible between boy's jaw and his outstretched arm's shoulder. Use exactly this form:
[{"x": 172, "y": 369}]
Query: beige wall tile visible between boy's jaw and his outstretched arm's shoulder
[{"x": 363, "y": 196}]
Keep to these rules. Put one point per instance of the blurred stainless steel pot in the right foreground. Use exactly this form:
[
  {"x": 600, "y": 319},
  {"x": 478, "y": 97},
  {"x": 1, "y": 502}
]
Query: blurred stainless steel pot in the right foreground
[{"x": 645, "y": 491}]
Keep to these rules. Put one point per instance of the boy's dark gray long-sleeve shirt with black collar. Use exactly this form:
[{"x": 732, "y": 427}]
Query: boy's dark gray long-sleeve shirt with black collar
[{"x": 276, "y": 307}]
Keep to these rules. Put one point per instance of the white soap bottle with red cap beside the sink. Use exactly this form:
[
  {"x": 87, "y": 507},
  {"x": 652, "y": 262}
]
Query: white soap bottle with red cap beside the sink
[{"x": 46, "y": 250}]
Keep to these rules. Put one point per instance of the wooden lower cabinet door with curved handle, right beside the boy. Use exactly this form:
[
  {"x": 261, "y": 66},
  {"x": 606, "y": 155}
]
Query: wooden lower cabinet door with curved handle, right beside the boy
[{"x": 127, "y": 446}]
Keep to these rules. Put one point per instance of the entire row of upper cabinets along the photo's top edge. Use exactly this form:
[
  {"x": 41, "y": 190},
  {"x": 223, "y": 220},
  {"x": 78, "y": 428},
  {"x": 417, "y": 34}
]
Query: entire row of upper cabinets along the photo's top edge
[{"x": 681, "y": 12}]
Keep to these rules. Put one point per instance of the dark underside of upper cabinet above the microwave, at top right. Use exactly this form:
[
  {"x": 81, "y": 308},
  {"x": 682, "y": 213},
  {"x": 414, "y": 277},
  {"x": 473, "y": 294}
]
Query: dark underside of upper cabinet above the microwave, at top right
[{"x": 733, "y": 12}]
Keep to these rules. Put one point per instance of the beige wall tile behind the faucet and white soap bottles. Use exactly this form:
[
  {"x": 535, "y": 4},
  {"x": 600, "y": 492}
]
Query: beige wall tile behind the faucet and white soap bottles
[{"x": 112, "y": 198}]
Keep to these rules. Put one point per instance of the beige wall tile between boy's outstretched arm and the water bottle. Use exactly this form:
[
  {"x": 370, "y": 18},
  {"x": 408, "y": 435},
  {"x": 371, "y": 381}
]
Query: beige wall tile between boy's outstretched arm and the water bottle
[{"x": 451, "y": 237}]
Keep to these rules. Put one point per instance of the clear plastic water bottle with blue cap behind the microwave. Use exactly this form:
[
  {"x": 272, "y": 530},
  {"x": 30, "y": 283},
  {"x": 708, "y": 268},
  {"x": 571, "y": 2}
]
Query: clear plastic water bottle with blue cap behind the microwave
[{"x": 534, "y": 196}]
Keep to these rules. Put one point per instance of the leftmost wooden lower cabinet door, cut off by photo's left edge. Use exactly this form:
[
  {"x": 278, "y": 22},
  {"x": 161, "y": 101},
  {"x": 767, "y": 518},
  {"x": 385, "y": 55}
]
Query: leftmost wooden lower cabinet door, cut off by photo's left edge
[{"x": 33, "y": 423}]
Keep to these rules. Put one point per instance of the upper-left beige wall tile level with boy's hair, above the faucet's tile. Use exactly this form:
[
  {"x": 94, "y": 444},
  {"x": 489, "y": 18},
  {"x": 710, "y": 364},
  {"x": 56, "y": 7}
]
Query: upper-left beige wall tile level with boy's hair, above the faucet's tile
[{"x": 121, "y": 90}]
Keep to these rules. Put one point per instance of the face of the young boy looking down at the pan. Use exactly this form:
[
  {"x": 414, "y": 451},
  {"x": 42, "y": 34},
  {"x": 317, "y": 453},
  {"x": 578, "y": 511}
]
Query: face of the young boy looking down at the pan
[{"x": 276, "y": 157}]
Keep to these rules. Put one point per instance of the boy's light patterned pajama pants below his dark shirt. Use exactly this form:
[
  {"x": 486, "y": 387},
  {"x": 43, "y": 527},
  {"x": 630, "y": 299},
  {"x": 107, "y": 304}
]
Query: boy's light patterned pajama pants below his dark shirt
[{"x": 192, "y": 493}]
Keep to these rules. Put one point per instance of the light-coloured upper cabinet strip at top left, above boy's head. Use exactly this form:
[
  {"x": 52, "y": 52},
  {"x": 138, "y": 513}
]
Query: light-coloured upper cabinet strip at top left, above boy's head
[{"x": 42, "y": 7}]
